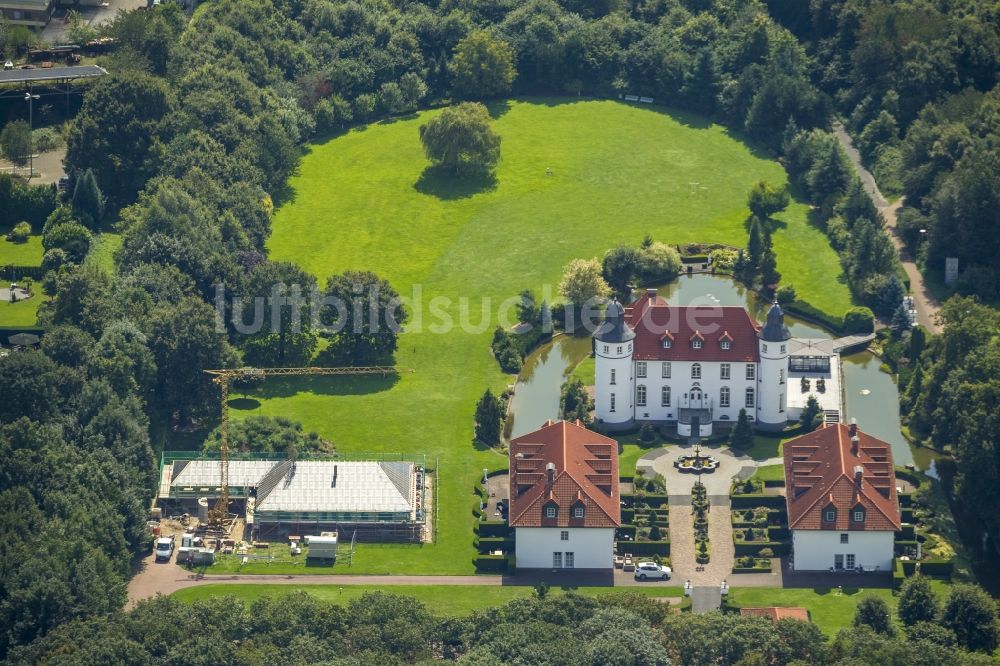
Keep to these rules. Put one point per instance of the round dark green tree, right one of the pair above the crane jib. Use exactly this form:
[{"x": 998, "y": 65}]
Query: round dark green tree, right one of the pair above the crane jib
[{"x": 363, "y": 318}]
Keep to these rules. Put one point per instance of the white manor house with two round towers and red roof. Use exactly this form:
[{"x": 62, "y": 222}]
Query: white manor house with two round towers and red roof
[{"x": 695, "y": 366}]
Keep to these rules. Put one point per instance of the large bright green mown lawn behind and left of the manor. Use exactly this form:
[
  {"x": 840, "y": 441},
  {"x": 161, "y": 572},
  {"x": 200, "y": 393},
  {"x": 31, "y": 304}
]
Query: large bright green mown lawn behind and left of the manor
[{"x": 360, "y": 201}]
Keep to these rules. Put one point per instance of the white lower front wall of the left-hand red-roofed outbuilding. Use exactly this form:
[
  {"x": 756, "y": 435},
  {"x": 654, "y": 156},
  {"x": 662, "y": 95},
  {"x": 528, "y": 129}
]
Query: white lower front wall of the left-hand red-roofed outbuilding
[{"x": 565, "y": 547}]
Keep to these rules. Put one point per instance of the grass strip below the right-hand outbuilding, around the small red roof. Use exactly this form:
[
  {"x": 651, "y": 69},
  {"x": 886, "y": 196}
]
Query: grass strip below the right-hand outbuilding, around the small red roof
[{"x": 830, "y": 609}]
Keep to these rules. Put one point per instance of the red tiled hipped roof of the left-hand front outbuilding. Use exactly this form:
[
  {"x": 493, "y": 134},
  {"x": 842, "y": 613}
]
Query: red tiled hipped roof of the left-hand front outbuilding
[{"x": 585, "y": 473}]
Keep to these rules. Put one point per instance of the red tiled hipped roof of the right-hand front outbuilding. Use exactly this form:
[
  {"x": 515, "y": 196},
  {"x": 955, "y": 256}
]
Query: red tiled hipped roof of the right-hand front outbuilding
[{"x": 820, "y": 473}]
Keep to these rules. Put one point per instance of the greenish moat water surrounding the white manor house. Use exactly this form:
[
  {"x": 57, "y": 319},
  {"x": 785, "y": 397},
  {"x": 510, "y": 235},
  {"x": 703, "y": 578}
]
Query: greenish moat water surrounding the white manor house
[{"x": 872, "y": 396}]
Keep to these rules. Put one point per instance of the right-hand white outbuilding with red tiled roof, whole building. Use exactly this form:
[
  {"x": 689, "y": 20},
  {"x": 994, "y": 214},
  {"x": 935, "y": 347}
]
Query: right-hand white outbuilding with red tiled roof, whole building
[{"x": 843, "y": 510}]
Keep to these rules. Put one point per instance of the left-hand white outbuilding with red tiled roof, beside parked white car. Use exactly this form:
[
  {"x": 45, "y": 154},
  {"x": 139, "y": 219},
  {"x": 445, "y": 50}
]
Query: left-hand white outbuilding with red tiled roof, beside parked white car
[{"x": 564, "y": 499}]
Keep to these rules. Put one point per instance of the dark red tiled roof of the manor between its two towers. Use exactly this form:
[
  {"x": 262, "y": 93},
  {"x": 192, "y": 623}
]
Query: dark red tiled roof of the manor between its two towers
[{"x": 652, "y": 319}]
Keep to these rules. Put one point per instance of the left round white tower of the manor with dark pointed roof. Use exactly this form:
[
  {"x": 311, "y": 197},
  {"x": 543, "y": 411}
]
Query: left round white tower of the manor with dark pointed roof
[{"x": 614, "y": 384}]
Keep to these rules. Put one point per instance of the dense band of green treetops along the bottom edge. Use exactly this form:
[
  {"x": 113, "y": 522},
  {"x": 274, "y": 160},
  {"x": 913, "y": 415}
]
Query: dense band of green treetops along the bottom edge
[{"x": 381, "y": 628}]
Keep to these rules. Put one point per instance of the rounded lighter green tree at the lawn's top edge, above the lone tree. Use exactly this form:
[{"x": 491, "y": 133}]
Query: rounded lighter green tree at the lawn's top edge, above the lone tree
[{"x": 482, "y": 66}]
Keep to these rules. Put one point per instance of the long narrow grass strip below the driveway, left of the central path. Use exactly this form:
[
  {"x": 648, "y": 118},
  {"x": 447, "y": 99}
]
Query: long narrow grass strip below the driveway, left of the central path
[{"x": 440, "y": 599}]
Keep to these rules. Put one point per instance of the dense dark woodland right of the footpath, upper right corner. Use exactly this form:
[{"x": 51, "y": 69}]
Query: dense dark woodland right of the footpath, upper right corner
[{"x": 917, "y": 84}]
